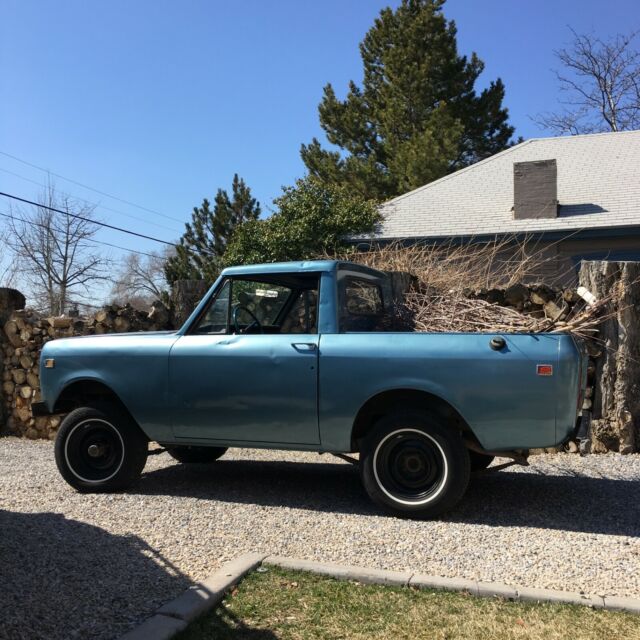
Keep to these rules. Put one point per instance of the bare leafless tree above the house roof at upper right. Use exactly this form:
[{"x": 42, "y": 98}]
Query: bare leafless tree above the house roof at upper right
[{"x": 601, "y": 82}]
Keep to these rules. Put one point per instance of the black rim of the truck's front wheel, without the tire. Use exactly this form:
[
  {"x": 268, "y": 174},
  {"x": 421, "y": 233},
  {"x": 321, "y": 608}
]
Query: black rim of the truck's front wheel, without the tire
[{"x": 94, "y": 451}]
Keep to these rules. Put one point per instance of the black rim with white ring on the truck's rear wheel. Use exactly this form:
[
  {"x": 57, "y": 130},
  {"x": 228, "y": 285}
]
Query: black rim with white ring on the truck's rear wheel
[{"x": 410, "y": 466}]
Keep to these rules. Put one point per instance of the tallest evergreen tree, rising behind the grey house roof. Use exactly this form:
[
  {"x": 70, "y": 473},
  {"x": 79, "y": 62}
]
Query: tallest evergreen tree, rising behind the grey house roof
[{"x": 417, "y": 116}]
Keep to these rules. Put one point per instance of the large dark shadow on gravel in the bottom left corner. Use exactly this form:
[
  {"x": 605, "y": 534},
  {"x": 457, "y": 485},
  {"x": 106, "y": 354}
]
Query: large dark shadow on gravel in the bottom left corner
[{"x": 66, "y": 579}]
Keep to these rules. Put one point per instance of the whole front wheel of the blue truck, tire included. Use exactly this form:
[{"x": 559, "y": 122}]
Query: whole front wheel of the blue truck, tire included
[{"x": 100, "y": 449}]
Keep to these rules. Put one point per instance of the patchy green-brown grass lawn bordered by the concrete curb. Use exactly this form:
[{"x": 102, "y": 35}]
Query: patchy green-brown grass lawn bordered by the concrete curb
[{"x": 298, "y": 605}]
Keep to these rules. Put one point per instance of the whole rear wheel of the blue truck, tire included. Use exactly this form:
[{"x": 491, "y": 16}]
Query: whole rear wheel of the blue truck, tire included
[{"x": 414, "y": 465}]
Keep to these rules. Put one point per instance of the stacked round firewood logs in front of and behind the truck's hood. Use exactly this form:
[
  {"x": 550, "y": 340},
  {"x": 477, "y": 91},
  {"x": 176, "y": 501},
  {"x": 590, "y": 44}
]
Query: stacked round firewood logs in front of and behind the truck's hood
[{"x": 25, "y": 332}]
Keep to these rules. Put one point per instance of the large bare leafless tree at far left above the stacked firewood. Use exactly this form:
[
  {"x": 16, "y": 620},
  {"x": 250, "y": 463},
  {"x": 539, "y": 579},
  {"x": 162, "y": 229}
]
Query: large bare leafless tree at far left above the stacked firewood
[{"x": 56, "y": 258}]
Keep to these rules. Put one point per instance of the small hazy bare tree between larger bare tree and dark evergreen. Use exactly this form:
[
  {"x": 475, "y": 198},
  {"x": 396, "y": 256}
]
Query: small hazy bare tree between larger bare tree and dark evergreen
[{"x": 141, "y": 279}]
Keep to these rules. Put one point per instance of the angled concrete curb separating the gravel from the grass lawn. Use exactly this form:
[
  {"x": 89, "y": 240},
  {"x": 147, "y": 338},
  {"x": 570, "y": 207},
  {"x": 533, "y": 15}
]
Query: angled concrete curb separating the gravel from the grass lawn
[{"x": 174, "y": 616}]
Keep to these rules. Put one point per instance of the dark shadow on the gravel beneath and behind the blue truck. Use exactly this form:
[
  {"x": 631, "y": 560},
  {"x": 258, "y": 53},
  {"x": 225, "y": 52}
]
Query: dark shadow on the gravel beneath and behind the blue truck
[{"x": 505, "y": 498}]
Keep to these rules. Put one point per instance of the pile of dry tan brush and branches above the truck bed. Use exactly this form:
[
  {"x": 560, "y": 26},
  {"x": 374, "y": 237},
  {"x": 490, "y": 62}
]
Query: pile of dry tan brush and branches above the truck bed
[{"x": 480, "y": 289}]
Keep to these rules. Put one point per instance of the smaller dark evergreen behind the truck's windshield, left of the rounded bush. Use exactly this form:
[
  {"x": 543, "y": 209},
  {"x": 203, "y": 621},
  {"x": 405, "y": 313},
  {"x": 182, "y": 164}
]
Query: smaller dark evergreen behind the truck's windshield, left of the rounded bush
[{"x": 199, "y": 254}]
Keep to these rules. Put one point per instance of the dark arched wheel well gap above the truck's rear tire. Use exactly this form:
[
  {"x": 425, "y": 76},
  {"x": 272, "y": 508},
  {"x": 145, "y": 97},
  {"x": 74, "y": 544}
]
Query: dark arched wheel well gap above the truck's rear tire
[{"x": 382, "y": 403}]
